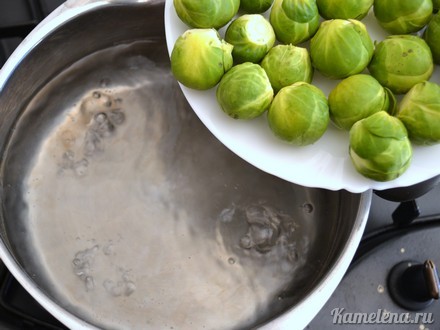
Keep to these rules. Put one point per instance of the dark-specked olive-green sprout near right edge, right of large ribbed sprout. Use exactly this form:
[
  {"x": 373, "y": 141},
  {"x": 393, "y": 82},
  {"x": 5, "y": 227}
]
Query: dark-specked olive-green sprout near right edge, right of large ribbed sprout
[{"x": 401, "y": 61}]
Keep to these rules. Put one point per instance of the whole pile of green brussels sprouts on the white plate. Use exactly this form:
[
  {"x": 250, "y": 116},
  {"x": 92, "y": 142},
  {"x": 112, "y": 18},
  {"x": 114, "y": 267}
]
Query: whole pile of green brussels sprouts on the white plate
[{"x": 267, "y": 65}]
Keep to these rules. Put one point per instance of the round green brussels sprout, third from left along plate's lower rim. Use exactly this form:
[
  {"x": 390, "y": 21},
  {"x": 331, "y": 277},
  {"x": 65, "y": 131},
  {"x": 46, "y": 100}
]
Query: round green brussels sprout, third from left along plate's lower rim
[{"x": 299, "y": 114}]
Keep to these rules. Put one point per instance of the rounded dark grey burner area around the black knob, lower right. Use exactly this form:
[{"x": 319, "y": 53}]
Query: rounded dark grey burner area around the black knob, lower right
[{"x": 384, "y": 287}]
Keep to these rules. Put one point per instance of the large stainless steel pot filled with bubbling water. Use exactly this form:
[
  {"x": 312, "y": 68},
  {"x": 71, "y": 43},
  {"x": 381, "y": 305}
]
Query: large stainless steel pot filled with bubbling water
[{"x": 120, "y": 209}]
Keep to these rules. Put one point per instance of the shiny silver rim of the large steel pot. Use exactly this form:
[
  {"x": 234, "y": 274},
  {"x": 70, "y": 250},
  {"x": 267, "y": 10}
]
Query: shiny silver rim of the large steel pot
[{"x": 300, "y": 315}]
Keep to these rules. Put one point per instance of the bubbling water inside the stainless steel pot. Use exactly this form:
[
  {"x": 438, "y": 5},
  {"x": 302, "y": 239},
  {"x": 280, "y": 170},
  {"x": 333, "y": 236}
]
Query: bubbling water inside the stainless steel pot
[{"x": 140, "y": 219}]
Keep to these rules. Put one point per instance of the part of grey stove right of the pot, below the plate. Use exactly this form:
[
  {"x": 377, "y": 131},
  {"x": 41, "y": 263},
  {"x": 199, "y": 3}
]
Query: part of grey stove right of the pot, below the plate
[{"x": 366, "y": 291}]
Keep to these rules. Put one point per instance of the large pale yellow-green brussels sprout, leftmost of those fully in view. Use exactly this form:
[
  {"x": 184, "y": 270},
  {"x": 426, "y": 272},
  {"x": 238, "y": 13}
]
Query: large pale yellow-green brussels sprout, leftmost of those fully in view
[{"x": 210, "y": 58}]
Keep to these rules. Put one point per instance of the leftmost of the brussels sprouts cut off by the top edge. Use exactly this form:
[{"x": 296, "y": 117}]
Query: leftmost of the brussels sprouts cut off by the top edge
[{"x": 206, "y": 13}]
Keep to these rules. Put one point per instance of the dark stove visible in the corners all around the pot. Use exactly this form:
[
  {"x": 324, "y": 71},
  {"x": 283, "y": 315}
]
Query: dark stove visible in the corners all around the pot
[{"x": 398, "y": 235}]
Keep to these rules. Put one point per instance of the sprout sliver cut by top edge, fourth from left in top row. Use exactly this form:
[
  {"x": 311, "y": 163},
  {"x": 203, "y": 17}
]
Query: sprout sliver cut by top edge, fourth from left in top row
[{"x": 355, "y": 9}]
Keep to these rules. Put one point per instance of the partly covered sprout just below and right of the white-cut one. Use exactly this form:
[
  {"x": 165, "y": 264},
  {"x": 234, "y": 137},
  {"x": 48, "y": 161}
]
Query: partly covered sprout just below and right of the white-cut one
[{"x": 286, "y": 65}]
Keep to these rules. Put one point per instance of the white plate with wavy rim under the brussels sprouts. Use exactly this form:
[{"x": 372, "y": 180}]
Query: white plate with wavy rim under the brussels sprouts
[{"x": 325, "y": 164}]
